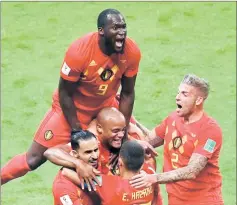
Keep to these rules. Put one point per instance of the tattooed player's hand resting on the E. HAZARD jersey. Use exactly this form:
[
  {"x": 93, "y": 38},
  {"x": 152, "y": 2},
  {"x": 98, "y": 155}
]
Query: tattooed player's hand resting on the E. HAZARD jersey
[{"x": 143, "y": 180}]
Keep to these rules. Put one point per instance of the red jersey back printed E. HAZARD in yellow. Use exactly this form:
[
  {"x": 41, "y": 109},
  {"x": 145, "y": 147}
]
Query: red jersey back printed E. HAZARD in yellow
[{"x": 118, "y": 191}]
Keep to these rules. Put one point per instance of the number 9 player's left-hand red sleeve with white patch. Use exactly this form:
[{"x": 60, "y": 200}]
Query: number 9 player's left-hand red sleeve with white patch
[{"x": 74, "y": 61}]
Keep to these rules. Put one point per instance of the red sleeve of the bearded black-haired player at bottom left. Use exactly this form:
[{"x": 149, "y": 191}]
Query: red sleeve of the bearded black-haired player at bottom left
[{"x": 65, "y": 192}]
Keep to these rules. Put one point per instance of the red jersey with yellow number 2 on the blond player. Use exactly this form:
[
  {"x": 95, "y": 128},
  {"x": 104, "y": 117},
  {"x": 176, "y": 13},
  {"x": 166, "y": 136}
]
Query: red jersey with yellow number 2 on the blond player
[{"x": 180, "y": 142}]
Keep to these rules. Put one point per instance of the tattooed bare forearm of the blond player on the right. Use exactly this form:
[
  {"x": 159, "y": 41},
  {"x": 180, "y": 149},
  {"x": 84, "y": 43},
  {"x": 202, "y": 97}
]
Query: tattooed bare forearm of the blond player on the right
[{"x": 195, "y": 166}]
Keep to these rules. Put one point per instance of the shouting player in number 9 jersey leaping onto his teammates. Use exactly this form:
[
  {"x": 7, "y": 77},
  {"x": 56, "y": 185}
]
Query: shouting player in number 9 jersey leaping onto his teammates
[{"x": 93, "y": 69}]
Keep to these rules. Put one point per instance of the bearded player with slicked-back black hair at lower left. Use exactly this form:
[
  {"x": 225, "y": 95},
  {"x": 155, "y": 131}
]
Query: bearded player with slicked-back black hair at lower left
[{"x": 85, "y": 147}]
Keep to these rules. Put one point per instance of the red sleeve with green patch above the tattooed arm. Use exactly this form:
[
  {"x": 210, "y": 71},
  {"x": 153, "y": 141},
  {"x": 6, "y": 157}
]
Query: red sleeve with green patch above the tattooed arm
[{"x": 210, "y": 140}]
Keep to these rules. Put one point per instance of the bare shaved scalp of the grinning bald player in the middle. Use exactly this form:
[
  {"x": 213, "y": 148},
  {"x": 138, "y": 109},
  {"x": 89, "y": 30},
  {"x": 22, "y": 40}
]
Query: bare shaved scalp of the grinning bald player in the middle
[{"x": 108, "y": 115}]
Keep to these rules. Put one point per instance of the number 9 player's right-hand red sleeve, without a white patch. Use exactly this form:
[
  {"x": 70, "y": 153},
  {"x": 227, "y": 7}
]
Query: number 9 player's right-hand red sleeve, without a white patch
[{"x": 134, "y": 56}]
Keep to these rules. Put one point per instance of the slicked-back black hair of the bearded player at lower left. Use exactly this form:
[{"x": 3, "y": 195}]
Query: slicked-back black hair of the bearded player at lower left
[{"x": 76, "y": 137}]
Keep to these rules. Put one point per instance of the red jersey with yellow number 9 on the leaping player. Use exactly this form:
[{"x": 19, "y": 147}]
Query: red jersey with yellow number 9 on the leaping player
[{"x": 98, "y": 75}]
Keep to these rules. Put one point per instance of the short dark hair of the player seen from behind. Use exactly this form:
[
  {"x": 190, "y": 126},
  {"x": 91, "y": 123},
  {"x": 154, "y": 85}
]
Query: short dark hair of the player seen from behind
[{"x": 132, "y": 154}]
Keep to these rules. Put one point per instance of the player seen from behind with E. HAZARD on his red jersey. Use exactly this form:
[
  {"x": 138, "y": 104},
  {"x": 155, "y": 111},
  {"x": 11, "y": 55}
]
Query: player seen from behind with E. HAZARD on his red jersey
[{"x": 116, "y": 189}]
